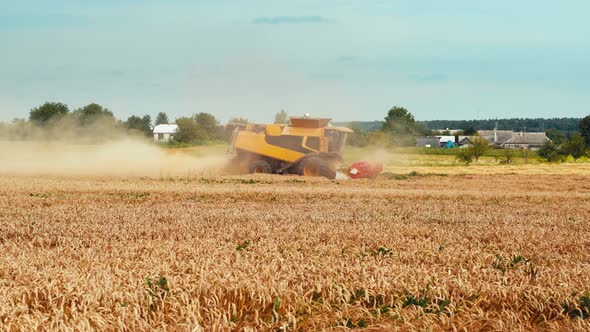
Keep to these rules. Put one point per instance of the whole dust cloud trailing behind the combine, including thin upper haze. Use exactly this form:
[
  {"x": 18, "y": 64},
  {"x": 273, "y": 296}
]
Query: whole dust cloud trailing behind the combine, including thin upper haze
[{"x": 65, "y": 148}]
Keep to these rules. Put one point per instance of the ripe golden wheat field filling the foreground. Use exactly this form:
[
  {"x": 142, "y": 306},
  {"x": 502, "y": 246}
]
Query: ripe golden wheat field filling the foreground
[{"x": 505, "y": 252}]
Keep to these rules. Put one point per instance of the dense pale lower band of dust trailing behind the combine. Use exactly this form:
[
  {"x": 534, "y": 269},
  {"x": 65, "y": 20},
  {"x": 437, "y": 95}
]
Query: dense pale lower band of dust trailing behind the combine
[{"x": 126, "y": 157}]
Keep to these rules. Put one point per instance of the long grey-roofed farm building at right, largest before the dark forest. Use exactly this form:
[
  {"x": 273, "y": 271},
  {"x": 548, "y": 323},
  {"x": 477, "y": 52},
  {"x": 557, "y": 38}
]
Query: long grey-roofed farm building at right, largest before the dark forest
[{"x": 514, "y": 140}]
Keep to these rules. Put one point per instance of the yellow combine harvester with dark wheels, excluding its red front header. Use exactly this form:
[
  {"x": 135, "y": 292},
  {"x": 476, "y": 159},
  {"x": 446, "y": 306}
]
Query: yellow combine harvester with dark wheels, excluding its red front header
[{"x": 308, "y": 146}]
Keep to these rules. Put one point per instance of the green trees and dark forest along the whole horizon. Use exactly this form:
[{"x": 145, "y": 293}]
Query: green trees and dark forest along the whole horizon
[{"x": 569, "y": 136}]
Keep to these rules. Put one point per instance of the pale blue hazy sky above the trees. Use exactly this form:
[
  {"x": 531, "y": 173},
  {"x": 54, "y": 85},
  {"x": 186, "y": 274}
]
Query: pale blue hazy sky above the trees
[{"x": 349, "y": 60}]
